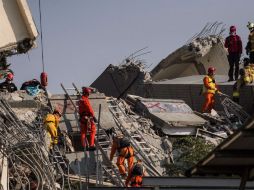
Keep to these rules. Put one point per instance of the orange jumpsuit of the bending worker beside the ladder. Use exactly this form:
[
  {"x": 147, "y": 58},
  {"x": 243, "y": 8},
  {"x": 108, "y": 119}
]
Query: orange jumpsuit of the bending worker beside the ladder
[{"x": 123, "y": 153}]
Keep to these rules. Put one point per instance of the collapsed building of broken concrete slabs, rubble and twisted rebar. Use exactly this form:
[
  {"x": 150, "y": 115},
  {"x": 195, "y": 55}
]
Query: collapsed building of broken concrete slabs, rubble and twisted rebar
[{"x": 163, "y": 107}]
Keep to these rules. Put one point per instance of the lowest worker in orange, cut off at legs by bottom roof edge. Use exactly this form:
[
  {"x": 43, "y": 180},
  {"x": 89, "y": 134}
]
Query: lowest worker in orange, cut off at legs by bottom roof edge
[{"x": 135, "y": 176}]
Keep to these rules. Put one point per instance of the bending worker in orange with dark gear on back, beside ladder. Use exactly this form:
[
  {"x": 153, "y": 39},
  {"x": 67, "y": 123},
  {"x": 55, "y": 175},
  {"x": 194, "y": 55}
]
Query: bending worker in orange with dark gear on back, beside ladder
[{"x": 125, "y": 151}]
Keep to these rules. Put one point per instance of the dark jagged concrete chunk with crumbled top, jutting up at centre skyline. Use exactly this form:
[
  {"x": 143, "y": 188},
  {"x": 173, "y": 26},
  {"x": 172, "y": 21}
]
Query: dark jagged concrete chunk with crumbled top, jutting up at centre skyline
[{"x": 117, "y": 81}]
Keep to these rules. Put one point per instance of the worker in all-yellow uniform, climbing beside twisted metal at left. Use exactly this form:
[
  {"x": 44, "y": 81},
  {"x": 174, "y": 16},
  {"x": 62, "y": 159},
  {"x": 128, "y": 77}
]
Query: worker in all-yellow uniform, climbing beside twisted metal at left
[{"x": 51, "y": 122}]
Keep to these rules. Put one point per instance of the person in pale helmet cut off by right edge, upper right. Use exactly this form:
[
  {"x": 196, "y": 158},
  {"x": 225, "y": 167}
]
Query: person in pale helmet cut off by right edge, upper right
[{"x": 250, "y": 45}]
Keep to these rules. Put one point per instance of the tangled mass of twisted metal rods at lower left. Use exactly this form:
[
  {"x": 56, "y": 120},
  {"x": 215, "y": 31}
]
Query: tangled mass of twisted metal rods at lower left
[{"x": 24, "y": 147}]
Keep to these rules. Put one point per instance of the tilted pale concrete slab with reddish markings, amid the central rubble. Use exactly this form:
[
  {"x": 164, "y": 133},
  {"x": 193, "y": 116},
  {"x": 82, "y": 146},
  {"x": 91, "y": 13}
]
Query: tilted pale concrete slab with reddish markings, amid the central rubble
[{"x": 174, "y": 117}]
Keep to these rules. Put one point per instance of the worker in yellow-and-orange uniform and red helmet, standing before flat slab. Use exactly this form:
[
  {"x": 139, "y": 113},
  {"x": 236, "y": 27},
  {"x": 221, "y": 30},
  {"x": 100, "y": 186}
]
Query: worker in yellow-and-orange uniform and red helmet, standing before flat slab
[{"x": 209, "y": 90}]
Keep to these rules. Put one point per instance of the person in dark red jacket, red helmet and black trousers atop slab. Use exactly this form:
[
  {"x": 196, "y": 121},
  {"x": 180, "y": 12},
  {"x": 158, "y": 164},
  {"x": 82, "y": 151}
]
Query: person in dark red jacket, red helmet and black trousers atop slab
[{"x": 234, "y": 45}]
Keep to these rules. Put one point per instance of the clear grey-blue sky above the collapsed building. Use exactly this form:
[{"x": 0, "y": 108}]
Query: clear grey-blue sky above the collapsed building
[{"x": 82, "y": 37}]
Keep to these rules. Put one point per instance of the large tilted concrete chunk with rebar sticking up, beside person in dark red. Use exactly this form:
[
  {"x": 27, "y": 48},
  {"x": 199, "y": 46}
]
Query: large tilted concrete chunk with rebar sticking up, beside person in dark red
[{"x": 202, "y": 51}]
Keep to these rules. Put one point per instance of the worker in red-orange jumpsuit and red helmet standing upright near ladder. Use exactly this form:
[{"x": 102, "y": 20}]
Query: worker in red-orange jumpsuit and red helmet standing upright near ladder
[{"x": 87, "y": 119}]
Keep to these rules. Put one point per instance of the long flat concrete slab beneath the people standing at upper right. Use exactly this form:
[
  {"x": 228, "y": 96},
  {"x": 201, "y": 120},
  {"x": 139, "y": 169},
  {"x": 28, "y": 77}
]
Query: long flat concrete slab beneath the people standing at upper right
[{"x": 189, "y": 88}]
